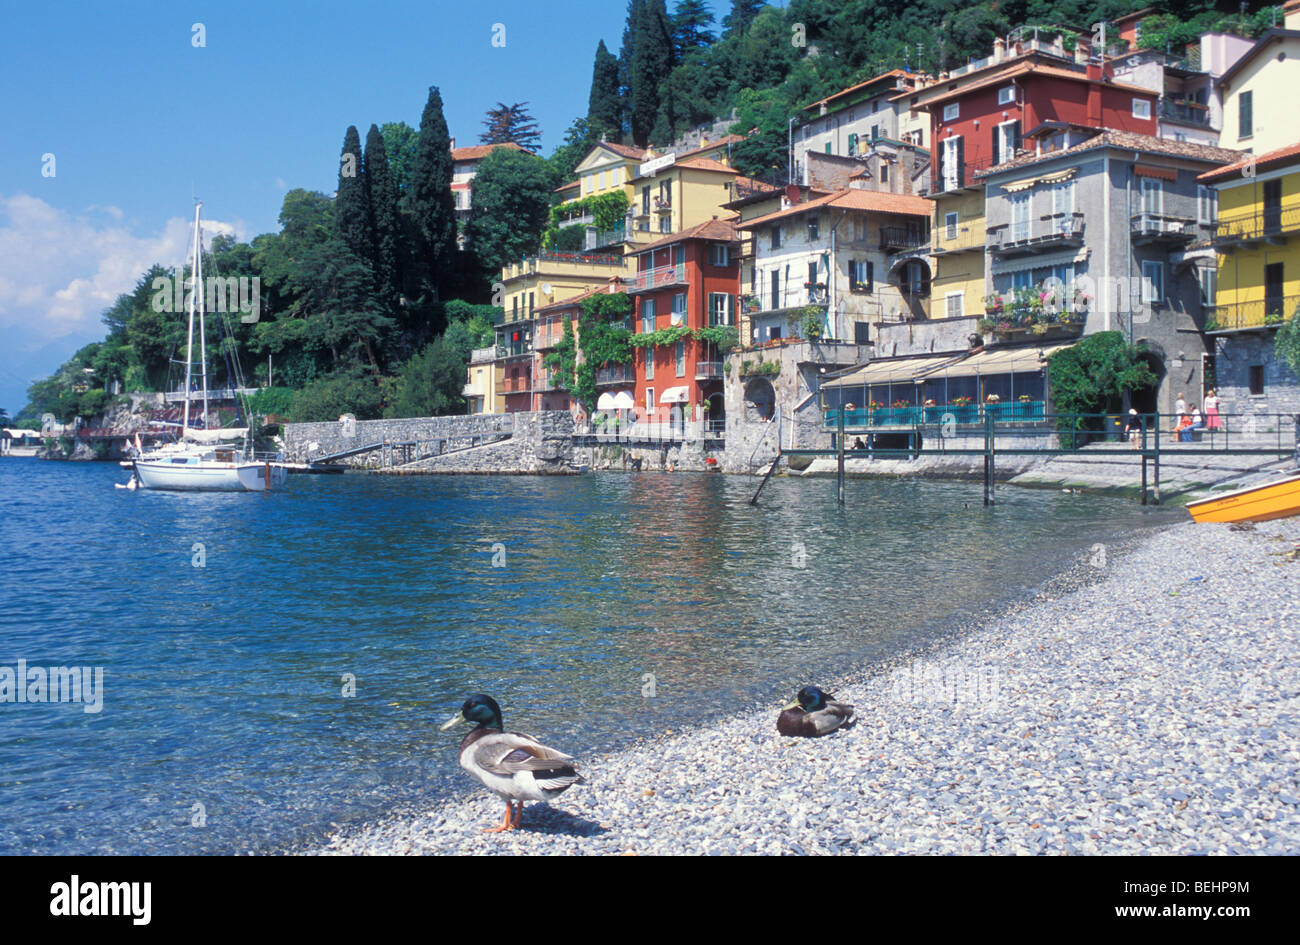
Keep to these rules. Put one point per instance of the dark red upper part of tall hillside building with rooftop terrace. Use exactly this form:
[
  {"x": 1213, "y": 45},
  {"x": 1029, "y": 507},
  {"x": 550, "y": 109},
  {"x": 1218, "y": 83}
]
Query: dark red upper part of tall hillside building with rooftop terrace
[{"x": 981, "y": 115}]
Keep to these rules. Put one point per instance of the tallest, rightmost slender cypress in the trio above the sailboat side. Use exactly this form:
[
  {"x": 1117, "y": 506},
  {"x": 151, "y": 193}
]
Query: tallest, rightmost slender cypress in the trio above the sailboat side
[{"x": 430, "y": 203}]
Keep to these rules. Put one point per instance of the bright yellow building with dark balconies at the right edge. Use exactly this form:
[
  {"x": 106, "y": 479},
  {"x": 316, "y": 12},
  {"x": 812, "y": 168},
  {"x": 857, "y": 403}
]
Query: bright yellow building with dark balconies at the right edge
[{"x": 1258, "y": 241}]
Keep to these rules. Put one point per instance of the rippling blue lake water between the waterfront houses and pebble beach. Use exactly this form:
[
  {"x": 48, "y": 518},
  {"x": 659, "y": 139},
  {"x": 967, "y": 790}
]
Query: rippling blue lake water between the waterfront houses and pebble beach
[{"x": 224, "y": 686}]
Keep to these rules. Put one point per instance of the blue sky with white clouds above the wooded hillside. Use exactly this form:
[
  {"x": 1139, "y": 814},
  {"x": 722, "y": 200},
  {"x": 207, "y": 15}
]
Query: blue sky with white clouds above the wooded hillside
[{"x": 140, "y": 120}]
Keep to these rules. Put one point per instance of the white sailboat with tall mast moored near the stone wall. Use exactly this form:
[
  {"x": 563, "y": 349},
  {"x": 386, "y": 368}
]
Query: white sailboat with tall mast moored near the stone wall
[{"x": 202, "y": 461}]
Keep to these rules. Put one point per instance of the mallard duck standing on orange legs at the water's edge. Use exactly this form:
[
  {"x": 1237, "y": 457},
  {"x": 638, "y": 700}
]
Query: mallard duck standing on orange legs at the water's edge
[{"x": 513, "y": 766}]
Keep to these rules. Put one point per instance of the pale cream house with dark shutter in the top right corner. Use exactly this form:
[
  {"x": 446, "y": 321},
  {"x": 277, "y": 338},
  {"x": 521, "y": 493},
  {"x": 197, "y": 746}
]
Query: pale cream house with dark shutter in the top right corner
[{"x": 1259, "y": 109}]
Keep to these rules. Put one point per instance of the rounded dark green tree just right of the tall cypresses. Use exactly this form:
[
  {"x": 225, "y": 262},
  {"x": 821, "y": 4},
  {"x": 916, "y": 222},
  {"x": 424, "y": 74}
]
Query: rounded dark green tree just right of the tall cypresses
[{"x": 513, "y": 200}]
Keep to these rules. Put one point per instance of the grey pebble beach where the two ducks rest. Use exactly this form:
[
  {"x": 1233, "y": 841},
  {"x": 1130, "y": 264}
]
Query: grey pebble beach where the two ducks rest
[{"x": 1147, "y": 703}]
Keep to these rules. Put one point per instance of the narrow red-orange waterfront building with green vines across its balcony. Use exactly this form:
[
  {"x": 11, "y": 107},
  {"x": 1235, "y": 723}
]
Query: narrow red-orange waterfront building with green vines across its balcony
[{"x": 690, "y": 280}]
